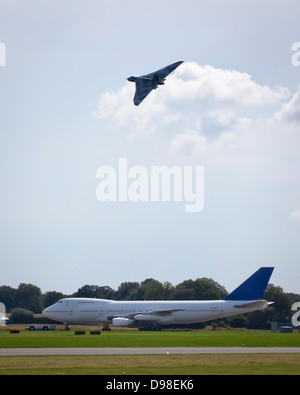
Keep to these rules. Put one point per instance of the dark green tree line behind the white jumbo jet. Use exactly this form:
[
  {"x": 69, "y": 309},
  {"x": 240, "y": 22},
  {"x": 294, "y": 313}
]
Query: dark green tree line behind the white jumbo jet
[{"x": 30, "y": 297}]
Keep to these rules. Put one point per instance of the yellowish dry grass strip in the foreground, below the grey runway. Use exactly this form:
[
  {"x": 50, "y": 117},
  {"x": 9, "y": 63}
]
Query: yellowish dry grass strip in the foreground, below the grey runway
[{"x": 254, "y": 364}]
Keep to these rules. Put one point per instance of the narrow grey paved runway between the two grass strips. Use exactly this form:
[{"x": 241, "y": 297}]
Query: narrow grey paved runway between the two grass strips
[{"x": 146, "y": 351}]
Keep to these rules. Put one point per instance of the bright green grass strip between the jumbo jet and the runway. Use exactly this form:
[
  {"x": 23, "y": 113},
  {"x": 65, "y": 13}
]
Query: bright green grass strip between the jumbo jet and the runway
[{"x": 57, "y": 339}]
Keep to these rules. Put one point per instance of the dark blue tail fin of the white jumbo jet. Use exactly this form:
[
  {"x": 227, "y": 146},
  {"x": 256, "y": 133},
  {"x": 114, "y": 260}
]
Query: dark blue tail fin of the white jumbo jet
[{"x": 253, "y": 288}]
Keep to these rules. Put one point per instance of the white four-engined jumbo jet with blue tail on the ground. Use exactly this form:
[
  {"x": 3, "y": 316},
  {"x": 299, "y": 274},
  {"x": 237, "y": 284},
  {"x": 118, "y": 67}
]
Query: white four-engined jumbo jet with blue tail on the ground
[{"x": 152, "y": 314}]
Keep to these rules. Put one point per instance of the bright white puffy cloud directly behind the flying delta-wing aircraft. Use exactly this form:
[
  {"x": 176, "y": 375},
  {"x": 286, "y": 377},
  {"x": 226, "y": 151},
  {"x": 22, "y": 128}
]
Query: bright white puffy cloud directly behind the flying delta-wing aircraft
[{"x": 204, "y": 99}]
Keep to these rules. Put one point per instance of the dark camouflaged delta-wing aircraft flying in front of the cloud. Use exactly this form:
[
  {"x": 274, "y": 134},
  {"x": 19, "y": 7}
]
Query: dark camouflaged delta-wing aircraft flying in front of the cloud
[{"x": 146, "y": 83}]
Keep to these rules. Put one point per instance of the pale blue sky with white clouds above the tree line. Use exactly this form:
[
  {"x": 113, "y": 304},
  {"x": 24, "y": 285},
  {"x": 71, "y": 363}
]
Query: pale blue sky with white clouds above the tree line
[{"x": 66, "y": 109}]
